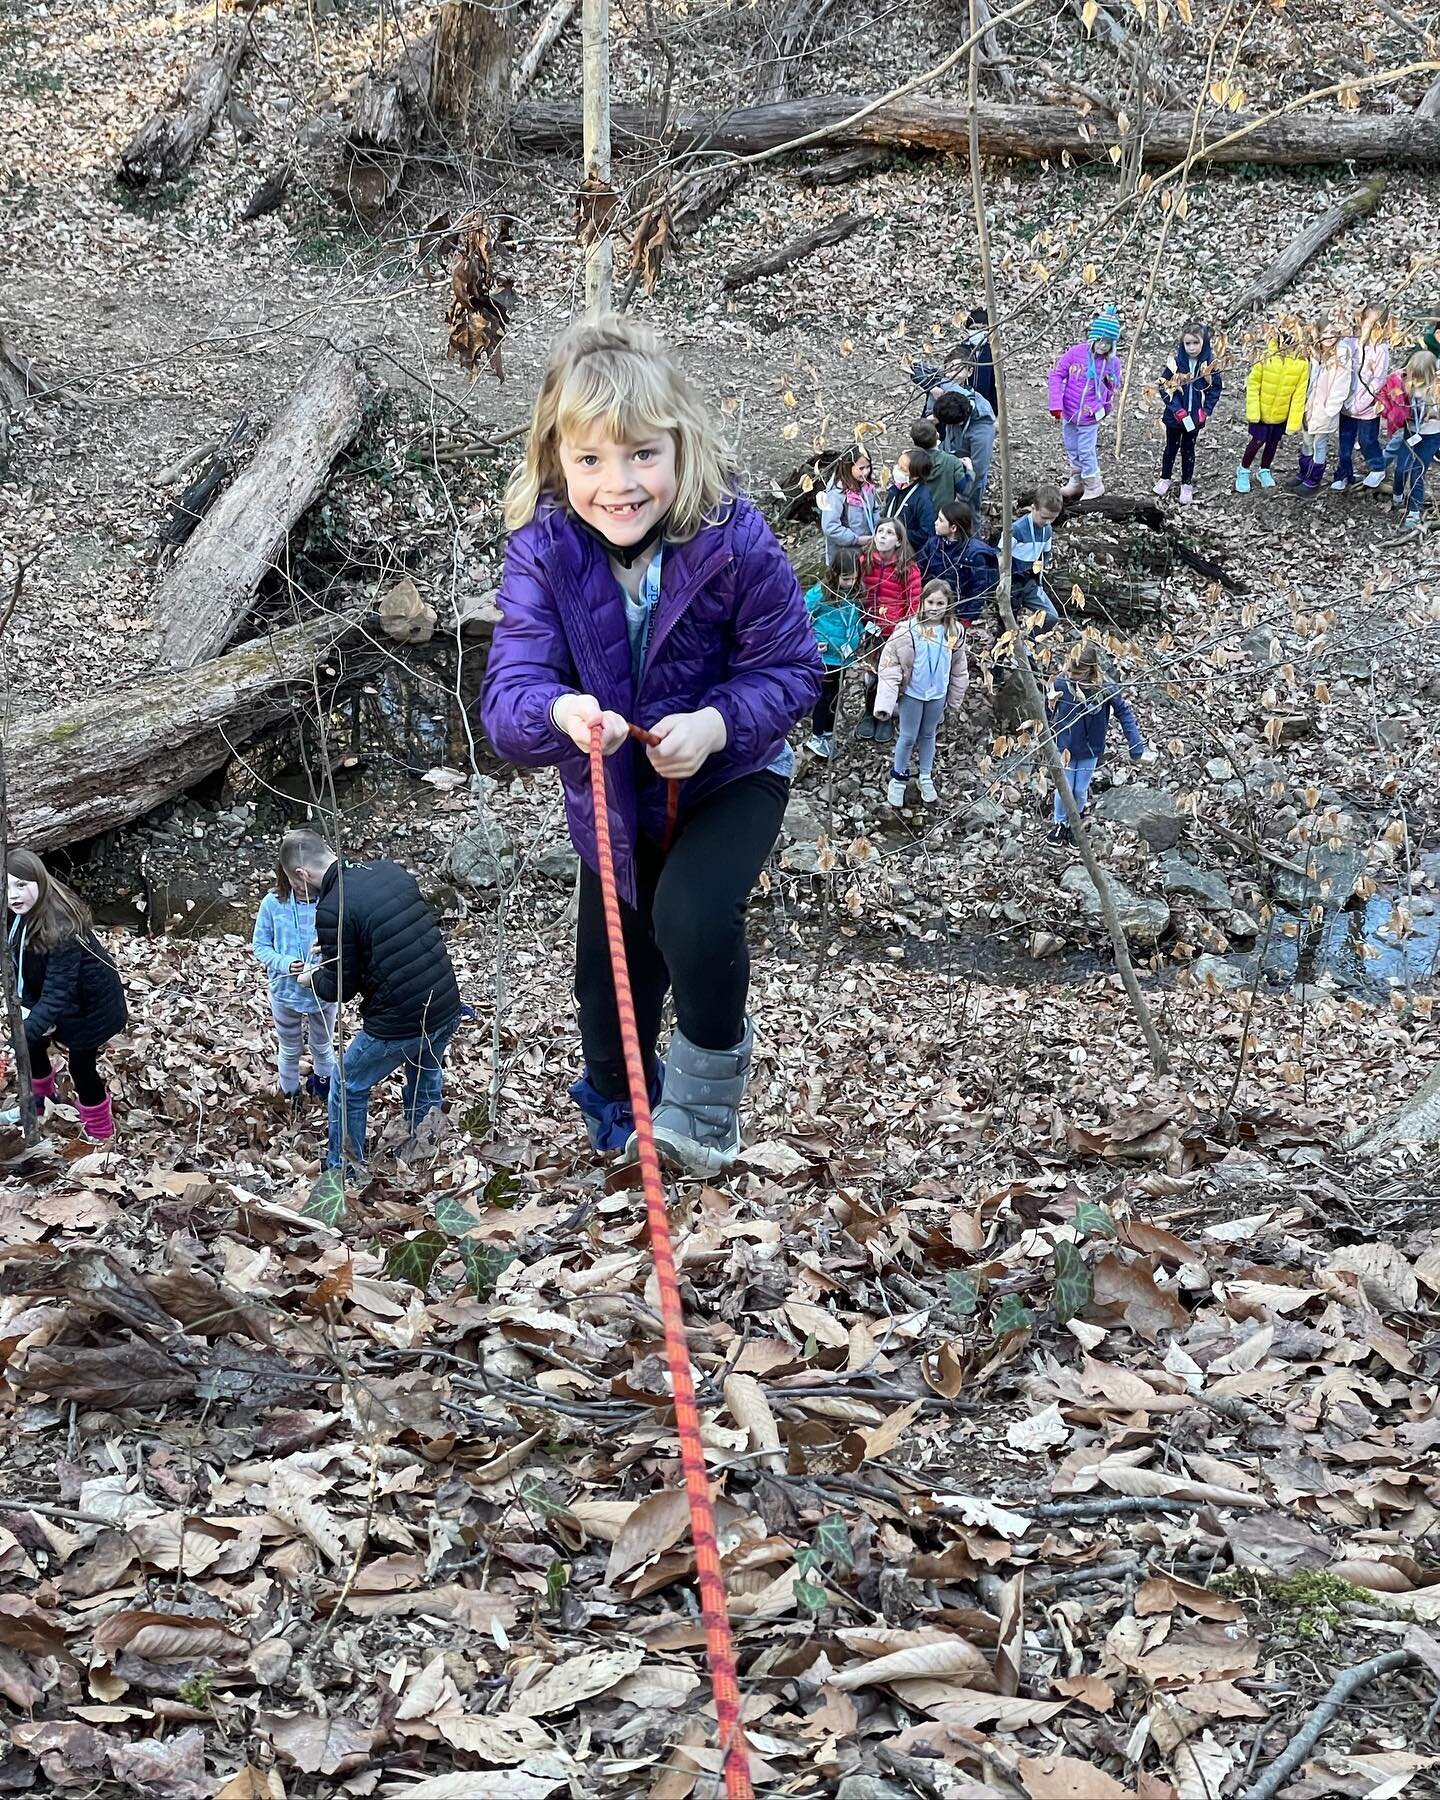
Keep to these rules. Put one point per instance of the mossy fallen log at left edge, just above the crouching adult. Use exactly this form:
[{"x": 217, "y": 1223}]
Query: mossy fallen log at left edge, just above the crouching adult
[{"x": 91, "y": 768}]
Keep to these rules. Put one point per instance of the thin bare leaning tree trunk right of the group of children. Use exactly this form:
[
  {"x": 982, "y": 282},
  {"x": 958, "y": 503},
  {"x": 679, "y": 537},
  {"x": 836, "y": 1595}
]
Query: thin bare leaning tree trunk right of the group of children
[{"x": 1034, "y": 699}]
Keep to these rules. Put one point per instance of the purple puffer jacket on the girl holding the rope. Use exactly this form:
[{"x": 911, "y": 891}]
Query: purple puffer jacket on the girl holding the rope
[{"x": 730, "y": 633}]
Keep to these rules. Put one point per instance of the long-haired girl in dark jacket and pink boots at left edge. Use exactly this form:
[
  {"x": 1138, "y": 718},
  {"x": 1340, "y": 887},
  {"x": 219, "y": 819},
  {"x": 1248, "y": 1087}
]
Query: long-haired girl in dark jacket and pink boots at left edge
[{"x": 69, "y": 989}]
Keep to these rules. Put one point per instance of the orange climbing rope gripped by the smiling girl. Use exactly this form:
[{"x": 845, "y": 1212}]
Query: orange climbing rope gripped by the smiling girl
[{"x": 710, "y": 1581}]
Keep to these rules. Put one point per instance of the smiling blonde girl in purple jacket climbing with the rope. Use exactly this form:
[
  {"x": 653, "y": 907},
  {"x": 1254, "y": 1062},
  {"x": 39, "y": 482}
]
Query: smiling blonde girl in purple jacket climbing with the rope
[{"x": 642, "y": 586}]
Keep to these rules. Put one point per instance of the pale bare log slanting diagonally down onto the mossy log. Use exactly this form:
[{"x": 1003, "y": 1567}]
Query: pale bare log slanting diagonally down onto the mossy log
[{"x": 208, "y": 589}]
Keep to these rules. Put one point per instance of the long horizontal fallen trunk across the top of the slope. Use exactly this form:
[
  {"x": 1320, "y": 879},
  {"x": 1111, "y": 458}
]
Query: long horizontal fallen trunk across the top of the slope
[{"x": 1018, "y": 132}]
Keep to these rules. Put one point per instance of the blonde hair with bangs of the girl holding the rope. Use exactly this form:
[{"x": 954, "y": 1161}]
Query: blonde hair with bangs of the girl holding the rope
[{"x": 616, "y": 375}]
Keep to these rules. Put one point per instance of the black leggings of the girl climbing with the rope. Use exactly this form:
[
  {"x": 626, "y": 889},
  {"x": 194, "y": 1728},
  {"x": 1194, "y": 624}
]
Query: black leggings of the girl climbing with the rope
[{"x": 685, "y": 935}]
